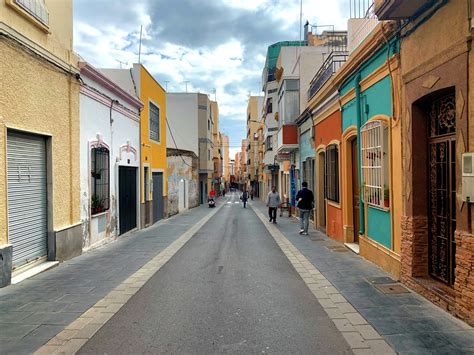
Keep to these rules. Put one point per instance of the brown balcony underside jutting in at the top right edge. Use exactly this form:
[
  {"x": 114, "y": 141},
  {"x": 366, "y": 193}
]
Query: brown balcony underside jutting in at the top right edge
[{"x": 399, "y": 9}]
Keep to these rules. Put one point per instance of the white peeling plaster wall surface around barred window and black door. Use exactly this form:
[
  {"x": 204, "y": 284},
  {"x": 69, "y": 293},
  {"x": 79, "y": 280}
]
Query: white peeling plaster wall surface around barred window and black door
[{"x": 95, "y": 120}]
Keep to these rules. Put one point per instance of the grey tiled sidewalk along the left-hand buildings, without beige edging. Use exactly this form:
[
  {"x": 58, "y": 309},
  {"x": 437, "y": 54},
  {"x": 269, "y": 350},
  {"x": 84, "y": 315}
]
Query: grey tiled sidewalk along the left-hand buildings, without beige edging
[{"x": 37, "y": 309}]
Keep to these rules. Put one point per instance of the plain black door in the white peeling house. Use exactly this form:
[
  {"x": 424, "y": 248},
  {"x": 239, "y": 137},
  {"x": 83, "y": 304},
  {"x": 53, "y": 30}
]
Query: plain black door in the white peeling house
[{"x": 127, "y": 198}]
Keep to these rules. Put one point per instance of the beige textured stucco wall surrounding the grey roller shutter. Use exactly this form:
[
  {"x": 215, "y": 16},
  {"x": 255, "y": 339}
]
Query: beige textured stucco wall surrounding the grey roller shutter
[{"x": 36, "y": 97}]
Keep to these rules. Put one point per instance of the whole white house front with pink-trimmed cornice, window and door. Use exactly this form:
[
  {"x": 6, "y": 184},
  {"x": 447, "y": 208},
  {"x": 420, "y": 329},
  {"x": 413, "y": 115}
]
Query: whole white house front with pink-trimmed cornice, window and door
[{"x": 109, "y": 158}]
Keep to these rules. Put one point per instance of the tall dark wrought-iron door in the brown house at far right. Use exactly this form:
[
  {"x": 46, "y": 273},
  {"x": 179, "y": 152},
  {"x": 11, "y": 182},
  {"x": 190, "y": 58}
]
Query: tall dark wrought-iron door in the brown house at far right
[{"x": 442, "y": 188}]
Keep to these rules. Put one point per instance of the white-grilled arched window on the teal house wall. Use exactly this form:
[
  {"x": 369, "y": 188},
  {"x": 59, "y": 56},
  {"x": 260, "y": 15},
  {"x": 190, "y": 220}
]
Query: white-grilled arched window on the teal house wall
[{"x": 374, "y": 156}]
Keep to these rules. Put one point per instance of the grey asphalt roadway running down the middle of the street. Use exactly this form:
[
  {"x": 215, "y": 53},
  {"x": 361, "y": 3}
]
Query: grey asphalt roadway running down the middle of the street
[{"x": 228, "y": 290}]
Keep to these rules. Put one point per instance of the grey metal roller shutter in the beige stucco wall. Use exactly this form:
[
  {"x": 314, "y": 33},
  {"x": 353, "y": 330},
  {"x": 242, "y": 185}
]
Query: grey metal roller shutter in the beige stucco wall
[{"x": 27, "y": 198}]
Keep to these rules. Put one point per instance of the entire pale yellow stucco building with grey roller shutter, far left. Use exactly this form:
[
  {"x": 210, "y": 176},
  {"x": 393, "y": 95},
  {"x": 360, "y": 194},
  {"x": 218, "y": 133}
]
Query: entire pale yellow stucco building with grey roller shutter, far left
[{"x": 39, "y": 135}]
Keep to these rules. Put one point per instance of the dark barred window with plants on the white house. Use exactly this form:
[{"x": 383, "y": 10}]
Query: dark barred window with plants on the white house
[{"x": 99, "y": 180}]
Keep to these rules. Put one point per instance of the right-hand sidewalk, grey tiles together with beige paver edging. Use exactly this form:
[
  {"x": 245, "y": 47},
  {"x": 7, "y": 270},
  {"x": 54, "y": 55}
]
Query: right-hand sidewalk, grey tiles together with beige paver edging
[{"x": 408, "y": 322}]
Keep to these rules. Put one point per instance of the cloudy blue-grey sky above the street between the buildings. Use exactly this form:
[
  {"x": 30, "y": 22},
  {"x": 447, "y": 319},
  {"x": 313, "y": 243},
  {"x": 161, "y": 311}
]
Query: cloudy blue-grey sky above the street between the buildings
[{"x": 217, "y": 46}]
